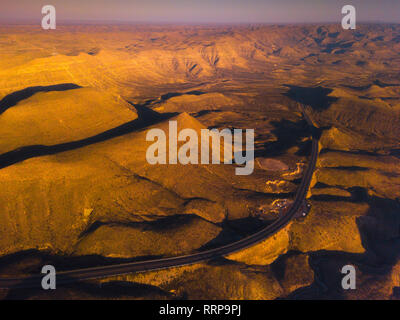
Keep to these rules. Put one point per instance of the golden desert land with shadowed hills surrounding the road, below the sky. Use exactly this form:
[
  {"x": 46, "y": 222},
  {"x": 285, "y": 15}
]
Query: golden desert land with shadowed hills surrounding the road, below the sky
[{"x": 76, "y": 190}]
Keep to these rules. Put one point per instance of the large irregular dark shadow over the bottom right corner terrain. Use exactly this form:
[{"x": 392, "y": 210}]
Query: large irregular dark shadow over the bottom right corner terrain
[{"x": 379, "y": 230}]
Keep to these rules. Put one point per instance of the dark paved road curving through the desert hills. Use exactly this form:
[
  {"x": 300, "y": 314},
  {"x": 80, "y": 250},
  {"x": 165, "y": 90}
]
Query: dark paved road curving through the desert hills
[{"x": 142, "y": 266}]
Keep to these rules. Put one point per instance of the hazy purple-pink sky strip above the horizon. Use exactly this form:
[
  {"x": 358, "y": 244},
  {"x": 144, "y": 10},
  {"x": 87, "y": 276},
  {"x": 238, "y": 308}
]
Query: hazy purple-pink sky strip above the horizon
[{"x": 201, "y": 11}]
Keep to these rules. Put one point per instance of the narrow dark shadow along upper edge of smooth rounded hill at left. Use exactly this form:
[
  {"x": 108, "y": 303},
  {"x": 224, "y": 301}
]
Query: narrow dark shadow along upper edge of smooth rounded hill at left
[{"x": 13, "y": 98}]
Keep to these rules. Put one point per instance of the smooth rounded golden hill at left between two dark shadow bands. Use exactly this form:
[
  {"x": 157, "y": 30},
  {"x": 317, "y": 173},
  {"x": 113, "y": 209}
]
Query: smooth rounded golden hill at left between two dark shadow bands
[{"x": 50, "y": 118}]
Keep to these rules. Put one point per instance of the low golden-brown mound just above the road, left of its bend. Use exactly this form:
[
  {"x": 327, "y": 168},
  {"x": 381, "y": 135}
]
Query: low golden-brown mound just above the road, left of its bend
[{"x": 165, "y": 238}]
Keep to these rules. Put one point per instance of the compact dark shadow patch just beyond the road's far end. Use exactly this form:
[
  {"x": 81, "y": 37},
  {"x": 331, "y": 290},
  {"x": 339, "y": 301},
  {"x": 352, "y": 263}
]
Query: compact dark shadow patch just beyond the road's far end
[{"x": 316, "y": 97}]
